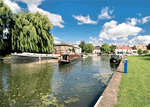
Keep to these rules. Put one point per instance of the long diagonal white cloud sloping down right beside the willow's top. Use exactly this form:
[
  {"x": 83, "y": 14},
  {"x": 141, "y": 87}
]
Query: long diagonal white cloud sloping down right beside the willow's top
[{"x": 55, "y": 19}]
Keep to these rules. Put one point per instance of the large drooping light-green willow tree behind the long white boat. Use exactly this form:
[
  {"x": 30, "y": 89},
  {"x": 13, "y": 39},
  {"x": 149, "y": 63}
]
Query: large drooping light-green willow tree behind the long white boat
[{"x": 31, "y": 33}]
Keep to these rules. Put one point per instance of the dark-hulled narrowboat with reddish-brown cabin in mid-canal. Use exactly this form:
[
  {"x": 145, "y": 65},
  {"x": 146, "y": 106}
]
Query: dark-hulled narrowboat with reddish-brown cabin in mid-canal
[{"x": 67, "y": 59}]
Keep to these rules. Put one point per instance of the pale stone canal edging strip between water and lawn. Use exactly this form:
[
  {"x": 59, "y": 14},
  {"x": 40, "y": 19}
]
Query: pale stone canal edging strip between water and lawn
[{"x": 109, "y": 96}]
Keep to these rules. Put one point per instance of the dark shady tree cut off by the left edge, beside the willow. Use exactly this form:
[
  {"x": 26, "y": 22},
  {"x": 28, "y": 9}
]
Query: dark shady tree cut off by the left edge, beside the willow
[{"x": 5, "y": 24}]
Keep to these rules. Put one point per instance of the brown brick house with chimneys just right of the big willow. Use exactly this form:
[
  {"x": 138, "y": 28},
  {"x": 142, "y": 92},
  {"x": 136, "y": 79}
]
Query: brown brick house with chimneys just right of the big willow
[{"x": 63, "y": 47}]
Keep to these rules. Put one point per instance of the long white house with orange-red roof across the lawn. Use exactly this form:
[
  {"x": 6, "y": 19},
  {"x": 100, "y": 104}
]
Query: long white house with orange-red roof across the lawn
[{"x": 123, "y": 50}]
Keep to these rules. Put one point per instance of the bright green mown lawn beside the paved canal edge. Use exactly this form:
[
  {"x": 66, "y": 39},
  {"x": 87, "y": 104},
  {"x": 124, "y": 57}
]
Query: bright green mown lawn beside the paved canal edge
[{"x": 134, "y": 89}]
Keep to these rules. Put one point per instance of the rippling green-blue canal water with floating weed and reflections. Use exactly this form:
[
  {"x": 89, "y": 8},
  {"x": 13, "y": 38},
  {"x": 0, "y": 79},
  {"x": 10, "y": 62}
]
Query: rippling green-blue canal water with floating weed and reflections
[{"x": 45, "y": 83}]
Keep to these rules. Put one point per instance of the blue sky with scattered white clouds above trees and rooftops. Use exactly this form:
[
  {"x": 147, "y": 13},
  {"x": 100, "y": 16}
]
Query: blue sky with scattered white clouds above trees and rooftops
[{"x": 117, "y": 22}]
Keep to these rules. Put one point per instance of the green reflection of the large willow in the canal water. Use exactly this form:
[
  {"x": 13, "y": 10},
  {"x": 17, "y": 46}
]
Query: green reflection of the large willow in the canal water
[{"x": 26, "y": 89}]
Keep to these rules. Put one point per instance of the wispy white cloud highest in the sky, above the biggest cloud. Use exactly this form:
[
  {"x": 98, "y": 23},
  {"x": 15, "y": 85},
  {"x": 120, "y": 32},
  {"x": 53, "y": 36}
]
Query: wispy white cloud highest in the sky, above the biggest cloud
[{"x": 105, "y": 13}]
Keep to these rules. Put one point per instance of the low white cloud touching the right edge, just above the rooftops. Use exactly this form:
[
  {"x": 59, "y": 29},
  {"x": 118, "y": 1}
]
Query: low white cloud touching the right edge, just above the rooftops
[{"x": 140, "y": 40}]
